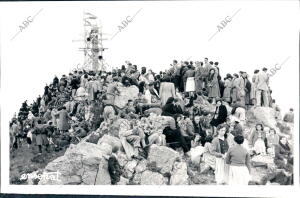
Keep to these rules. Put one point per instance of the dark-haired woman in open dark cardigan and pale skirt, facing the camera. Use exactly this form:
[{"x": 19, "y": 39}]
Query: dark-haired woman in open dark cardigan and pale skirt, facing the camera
[{"x": 219, "y": 149}]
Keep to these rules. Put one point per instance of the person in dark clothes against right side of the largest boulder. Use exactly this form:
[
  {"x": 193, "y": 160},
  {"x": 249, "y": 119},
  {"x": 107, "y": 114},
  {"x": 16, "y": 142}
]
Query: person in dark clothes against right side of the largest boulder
[{"x": 114, "y": 167}]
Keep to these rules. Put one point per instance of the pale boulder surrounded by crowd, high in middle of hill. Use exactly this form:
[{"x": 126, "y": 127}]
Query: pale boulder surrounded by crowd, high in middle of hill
[{"x": 126, "y": 93}]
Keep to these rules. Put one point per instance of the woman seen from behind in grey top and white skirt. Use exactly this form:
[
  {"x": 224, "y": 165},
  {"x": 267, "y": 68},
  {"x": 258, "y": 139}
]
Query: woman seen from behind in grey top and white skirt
[{"x": 238, "y": 160}]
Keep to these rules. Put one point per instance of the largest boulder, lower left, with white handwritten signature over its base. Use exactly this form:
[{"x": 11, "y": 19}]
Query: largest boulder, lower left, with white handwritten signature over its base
[{"x": 79, "y": 164}]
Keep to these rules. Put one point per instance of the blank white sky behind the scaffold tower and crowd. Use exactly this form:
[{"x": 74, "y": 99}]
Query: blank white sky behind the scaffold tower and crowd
[{"x": 261, "y": 34}]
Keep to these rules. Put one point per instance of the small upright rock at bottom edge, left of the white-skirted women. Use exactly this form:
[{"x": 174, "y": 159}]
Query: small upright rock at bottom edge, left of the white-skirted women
[{"x": 179, "y": 174}]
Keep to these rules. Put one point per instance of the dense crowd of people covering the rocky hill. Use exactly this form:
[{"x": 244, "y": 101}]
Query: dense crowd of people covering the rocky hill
[{"x": 169, "y": 110}]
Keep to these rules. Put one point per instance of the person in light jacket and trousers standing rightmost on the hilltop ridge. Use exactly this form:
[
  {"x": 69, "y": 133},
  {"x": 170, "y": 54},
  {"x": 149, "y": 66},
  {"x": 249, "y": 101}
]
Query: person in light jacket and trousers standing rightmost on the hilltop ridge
[{"x": 262, "y": 88}]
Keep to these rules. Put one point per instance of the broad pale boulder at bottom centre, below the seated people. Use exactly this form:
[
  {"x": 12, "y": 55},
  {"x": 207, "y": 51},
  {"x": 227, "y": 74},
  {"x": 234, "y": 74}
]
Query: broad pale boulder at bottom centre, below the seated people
[{"x": 163, "y": 157}]
